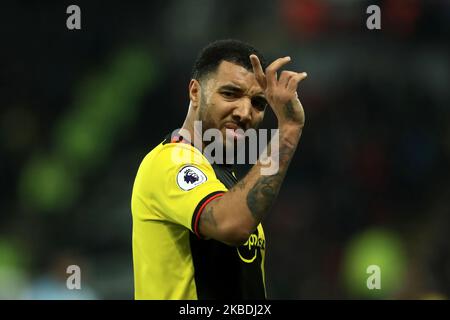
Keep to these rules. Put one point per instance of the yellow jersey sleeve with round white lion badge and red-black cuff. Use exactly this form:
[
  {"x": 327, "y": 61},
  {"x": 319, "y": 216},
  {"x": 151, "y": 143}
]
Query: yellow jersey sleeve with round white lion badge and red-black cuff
[{"x": 183, "y": 183}]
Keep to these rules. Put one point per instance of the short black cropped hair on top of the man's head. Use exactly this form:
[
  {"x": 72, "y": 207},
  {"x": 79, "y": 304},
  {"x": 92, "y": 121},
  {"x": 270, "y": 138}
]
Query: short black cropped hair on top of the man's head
[{"x": 230, "y": 50}]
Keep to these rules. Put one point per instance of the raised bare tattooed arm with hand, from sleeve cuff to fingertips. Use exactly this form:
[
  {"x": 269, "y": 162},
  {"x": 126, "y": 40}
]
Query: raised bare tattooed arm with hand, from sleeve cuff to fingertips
[{"x": 234, "y": 216}]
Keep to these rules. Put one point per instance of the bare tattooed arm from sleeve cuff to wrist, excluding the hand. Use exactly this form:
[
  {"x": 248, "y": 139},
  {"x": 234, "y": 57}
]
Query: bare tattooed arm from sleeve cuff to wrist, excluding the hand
[{"x": 235, "y": 215}]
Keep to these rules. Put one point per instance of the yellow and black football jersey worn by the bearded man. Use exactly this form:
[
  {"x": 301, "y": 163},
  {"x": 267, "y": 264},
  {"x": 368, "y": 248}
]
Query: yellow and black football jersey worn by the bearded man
[{"x": 173, "y": 184}]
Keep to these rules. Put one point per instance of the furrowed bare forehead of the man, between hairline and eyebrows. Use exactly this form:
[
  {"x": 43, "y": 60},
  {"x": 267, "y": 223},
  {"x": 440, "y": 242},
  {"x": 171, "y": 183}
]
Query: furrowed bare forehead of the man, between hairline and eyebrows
[{"x": 230, "y": 73}]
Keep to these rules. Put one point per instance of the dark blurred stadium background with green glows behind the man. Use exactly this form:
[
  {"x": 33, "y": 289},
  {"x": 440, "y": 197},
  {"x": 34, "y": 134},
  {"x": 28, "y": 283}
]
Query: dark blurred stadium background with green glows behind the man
[{"x": 369, "y": 183}]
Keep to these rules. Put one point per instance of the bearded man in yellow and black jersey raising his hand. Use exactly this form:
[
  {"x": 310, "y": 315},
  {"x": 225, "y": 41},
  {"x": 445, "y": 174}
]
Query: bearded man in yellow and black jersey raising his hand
[{"x": 197, "y": 230}]
